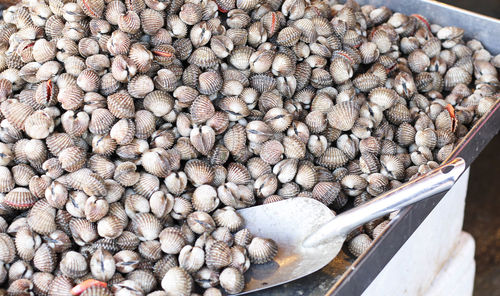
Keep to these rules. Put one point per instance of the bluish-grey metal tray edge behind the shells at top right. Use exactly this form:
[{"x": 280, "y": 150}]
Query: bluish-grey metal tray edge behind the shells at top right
[{"x": 477, "y": 26}]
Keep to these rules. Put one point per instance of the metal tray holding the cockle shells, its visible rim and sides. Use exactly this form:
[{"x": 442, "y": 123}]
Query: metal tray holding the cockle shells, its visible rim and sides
[{"x": 348, "y": 276}]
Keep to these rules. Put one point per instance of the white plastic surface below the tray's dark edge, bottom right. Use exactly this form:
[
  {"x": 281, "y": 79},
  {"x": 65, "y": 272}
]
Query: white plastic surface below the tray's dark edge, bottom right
[{"x": 416, "y": 265}]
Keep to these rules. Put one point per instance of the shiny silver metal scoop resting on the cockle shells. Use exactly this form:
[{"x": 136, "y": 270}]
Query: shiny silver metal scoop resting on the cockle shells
[{"x": 309, "y": 235}]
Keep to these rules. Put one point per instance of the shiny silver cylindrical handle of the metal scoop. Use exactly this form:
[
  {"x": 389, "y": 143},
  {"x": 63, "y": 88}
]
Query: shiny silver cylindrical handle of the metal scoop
[{"x": 436, "y": 181}]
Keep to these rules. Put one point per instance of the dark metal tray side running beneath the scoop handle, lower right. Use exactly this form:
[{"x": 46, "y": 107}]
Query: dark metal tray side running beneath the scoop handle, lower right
[{"x": 366, "y": 267}]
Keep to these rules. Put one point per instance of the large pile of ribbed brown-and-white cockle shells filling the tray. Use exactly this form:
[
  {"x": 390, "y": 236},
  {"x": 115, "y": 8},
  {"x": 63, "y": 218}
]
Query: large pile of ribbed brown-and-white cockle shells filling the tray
[{"x": 131, "y": 131}]
